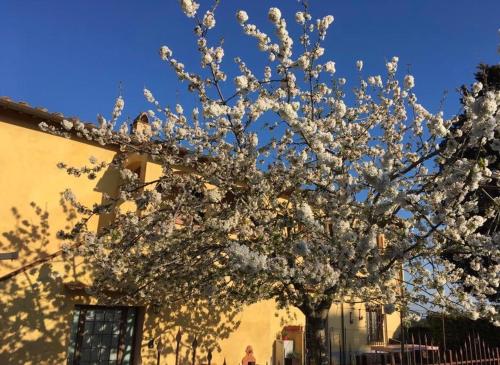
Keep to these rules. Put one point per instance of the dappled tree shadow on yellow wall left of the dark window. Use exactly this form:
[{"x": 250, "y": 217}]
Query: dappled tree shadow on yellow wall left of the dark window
[{"x": 34, "y": 308}]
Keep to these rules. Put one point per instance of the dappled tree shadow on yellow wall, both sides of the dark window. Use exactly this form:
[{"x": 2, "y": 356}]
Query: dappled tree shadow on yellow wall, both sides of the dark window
[{"x": 36, "y": 305}]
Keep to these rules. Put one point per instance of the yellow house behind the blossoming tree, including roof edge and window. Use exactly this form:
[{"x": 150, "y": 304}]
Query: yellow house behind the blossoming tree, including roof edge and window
[{"x": 47, "y": 316}]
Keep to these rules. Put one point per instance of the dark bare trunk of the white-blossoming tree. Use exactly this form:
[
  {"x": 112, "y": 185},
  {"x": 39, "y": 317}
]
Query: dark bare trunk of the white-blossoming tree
[{"x": 317, "y": 337}]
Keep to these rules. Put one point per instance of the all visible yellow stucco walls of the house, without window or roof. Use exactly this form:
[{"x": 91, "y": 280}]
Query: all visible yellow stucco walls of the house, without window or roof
[{"x": 36, "y": 306}]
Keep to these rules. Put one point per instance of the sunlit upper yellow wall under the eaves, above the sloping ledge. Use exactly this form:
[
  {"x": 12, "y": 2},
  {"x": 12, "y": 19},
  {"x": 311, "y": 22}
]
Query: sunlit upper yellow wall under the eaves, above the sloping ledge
[{"x": 29, "y": 174}]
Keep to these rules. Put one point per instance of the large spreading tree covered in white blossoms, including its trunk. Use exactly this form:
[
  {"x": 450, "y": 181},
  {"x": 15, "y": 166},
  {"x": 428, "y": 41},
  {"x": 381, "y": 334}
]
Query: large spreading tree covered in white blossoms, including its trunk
[{"x": 276, "y": 187}]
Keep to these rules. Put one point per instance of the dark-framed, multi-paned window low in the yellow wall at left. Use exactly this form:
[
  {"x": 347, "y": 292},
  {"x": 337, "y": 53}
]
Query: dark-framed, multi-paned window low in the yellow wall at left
[{"x": 102, "y": 335}]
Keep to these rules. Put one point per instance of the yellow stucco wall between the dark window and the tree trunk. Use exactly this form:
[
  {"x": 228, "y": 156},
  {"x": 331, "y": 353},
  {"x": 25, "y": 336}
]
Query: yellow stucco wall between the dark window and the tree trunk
[{"x": 257, "y": 325}]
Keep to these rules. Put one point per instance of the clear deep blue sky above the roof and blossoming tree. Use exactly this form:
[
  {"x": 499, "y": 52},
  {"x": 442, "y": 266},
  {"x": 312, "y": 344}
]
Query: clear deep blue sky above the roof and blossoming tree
[{"x": 70, "y": 56}]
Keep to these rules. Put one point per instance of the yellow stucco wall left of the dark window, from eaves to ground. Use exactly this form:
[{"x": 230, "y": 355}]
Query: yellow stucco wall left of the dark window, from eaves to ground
[{"x": 35, "y": 309}]
